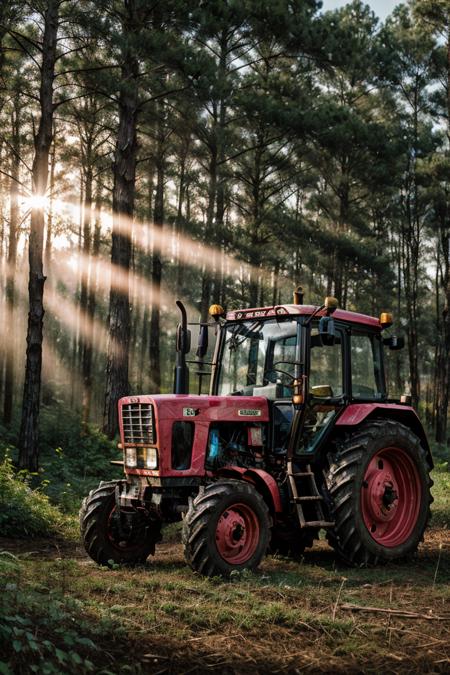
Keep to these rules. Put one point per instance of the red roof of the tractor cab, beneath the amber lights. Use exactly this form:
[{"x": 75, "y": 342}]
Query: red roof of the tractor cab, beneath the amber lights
[{"x": 301, "y": 310}]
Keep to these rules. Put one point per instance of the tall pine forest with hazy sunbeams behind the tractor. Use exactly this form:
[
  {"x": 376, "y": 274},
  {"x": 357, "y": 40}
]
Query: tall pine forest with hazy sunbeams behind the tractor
[{"x": 214, "y": 153}]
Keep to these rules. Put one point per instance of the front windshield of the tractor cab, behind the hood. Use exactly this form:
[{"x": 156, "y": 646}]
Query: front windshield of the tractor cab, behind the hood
[{"x": 258, "y": 354}]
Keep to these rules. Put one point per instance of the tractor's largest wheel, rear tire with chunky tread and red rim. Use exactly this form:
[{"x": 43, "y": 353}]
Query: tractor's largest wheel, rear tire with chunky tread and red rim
[{"x": 380, "y": 484}]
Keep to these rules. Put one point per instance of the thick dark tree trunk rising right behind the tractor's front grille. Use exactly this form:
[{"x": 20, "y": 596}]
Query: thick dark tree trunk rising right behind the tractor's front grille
[{"x": 117, "y": 384}]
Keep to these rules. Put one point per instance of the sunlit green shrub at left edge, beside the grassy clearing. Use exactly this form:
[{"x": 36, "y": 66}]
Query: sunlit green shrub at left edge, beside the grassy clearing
[{"x": 25, "y": 512}]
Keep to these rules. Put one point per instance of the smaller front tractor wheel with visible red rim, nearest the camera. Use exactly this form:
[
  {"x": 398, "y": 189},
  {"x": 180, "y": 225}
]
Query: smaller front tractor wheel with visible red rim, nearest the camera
[{"x": 226, "y": 529}]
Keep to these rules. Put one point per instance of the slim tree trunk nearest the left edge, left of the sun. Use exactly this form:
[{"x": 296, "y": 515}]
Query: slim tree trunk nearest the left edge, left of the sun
[{"x": 12, "y": 258}]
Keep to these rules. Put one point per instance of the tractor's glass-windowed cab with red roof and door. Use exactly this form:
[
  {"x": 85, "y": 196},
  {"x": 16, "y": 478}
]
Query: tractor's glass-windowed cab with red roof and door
[{"x": 301, "y": 356}]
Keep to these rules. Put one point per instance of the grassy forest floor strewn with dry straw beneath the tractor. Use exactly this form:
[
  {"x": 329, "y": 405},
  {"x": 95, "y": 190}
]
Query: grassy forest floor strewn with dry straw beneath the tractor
[{"x": 289, "y": 617}]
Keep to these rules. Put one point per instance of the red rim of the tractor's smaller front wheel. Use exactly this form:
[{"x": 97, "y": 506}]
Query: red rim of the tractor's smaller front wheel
[{"x": 237, "y": 534}]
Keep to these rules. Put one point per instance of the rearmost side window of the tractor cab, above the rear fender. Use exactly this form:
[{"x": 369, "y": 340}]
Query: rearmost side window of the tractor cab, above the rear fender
[{"x": 366, "y": 366}]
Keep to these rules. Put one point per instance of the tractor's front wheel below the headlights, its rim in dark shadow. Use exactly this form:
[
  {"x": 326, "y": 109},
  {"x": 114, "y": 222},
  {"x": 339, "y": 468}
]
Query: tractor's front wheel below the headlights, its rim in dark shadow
[{"x": 110, "y": 537}]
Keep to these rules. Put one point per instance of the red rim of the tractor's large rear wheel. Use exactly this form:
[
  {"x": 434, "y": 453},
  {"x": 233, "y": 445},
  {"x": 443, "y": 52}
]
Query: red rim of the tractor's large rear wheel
[{"x": 391, "y": 494}]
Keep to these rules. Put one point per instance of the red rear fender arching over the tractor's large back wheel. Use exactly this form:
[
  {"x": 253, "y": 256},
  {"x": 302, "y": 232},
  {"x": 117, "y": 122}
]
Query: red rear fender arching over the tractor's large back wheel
[{"x": 357, "y": 413}]
